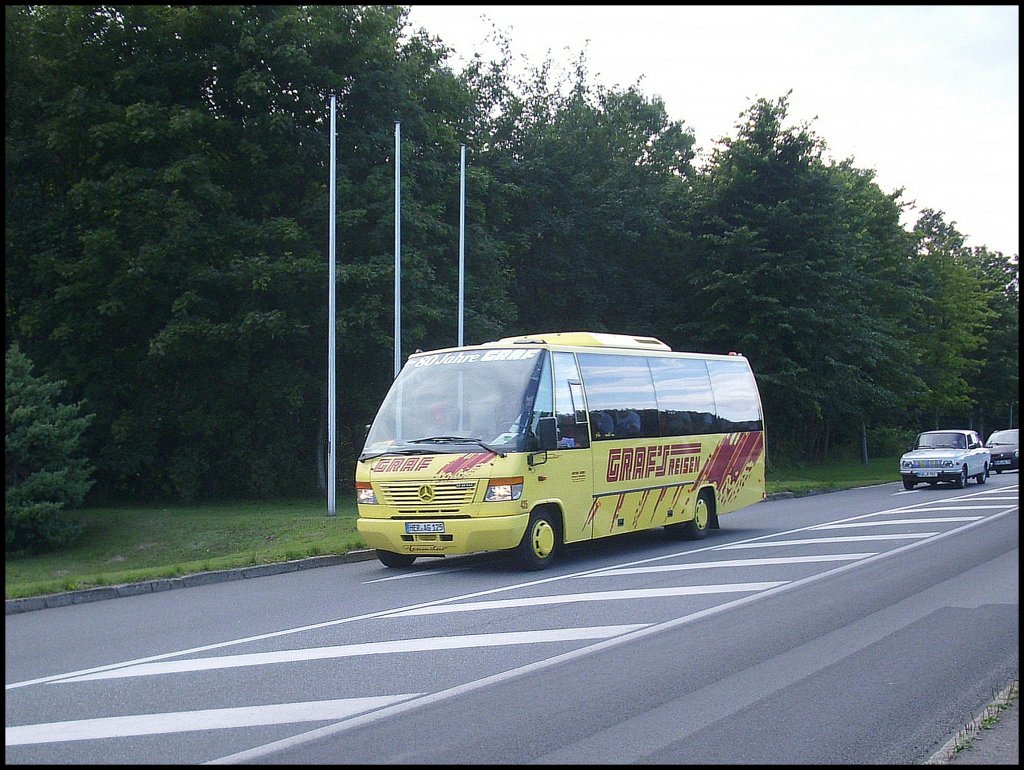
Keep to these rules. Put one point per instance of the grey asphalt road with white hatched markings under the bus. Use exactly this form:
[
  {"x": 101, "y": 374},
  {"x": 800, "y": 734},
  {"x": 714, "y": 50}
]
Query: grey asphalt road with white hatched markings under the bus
[{"x": 861, "y": 627}]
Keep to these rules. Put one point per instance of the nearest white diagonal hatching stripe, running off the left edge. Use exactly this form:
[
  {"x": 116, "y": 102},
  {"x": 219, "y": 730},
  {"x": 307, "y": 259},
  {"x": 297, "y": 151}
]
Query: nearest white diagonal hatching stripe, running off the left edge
[{"x": 208, "y": 719}]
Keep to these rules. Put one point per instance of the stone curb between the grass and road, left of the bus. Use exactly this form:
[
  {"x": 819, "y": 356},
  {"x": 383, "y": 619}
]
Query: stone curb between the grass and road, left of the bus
[{"x": 15, "y": 607}]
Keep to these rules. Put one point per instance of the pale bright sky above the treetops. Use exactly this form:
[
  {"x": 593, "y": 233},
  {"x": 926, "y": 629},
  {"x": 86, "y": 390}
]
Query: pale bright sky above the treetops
[{"x": 925, "y": 96}]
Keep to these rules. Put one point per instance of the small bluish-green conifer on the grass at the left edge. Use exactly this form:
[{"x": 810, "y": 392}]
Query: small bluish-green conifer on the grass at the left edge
[{"x": 44, "y": 469}]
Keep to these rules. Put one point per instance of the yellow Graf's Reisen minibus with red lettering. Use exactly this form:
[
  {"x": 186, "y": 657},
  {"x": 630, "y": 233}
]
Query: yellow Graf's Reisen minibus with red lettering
[{"x": 529, "y": 444}]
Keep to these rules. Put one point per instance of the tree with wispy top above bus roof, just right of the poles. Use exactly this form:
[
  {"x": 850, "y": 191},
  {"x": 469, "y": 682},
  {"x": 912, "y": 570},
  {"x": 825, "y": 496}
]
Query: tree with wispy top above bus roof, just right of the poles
[{"x": 591, "y": 183}]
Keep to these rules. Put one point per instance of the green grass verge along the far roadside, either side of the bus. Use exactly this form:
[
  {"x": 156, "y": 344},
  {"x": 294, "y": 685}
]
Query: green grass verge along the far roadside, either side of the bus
[{"x": 131, "y": 544}]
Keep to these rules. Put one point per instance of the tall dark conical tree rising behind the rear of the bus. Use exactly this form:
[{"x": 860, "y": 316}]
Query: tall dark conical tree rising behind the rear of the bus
[{"x": 783, "y": 273}]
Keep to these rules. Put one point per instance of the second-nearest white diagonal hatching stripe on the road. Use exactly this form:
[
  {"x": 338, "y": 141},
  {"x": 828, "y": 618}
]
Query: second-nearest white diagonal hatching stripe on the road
[{"x": 426, "y": 645}]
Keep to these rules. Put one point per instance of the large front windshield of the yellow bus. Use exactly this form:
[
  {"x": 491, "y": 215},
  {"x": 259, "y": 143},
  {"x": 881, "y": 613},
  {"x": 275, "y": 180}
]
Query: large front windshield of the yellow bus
[{"x": 458, "y": 402}]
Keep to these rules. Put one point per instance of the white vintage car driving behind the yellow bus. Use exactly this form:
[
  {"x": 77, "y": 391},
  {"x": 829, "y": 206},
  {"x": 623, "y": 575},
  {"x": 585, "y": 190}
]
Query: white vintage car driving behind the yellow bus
[{"x": 946, "y": 456}]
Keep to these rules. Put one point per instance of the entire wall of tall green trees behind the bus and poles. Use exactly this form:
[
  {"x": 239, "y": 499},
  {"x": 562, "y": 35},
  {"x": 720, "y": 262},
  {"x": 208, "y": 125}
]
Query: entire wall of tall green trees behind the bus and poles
[{"x": 167, "y": 173}]
